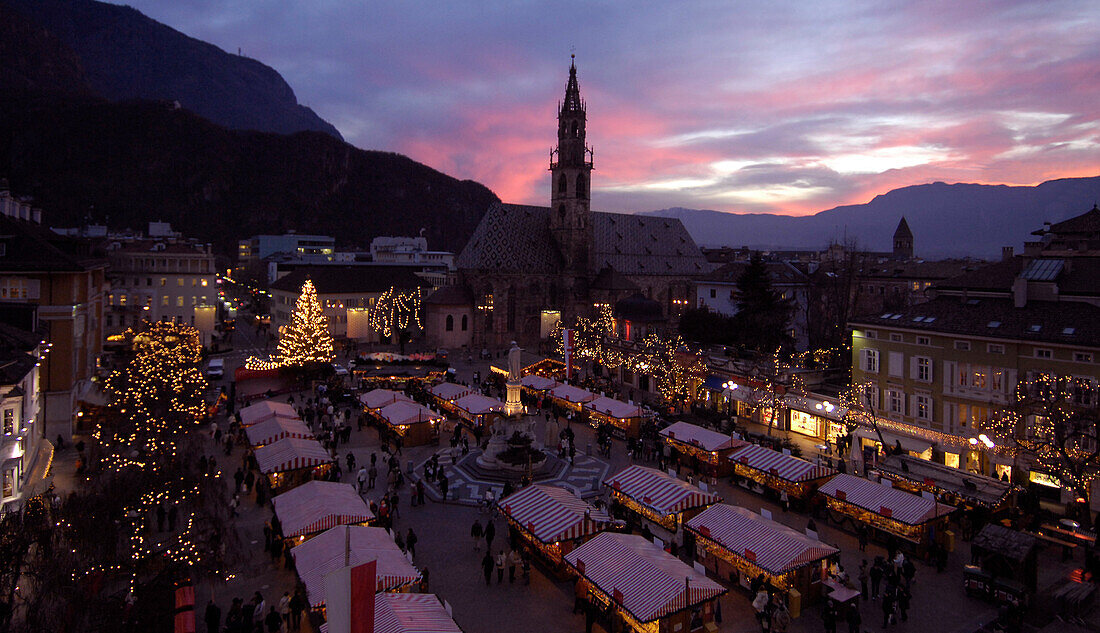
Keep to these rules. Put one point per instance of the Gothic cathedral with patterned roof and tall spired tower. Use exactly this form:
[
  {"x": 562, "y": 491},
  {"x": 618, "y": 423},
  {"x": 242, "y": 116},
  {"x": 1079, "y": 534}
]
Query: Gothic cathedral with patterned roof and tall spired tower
[{"x": 525, "y": 268}]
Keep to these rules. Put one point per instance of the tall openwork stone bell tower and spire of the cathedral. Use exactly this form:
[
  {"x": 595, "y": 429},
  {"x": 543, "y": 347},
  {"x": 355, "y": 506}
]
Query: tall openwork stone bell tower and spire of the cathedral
[{"x": 571, "y": 181}]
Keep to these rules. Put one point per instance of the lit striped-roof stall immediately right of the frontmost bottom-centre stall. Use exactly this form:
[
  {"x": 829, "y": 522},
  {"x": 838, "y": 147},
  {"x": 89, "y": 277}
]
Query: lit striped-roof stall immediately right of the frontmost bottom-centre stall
[{"x": 739, "y": 544}]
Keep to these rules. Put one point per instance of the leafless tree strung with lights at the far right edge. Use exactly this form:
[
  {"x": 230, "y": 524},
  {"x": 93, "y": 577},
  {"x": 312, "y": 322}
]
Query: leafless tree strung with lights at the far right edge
[{"x": 1055, "y": 422}]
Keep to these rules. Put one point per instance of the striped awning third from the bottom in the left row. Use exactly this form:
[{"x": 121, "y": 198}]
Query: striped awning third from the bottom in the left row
[{"x": 318, "y": 506}]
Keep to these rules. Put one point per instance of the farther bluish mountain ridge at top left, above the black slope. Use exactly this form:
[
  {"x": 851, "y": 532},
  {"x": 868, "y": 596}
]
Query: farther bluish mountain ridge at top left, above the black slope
[{"x": 127, "y": 56}]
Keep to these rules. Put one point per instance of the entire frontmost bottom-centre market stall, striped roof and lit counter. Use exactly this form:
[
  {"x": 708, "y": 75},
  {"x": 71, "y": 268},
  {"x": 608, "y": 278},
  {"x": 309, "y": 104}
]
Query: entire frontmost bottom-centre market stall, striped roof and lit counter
[{"x": 647, "y": 590}]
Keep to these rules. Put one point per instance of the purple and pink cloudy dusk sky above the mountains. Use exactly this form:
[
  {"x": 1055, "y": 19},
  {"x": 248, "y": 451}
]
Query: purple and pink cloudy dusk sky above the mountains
[{"x": 785, "y": 107}]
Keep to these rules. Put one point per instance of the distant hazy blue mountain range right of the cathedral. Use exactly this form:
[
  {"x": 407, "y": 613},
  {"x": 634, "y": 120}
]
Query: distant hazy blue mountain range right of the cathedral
[{"x": 948, "y": 221}]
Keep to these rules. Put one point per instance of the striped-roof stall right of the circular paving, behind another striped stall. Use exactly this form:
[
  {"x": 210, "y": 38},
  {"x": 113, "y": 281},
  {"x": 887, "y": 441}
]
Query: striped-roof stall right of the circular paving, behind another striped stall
[{"x": 658, "y": 498}]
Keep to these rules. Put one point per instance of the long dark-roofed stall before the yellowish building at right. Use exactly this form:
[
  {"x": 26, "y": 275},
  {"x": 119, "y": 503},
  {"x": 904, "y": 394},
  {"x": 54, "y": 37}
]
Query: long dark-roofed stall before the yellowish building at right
[{"x": 950, "y": 485}]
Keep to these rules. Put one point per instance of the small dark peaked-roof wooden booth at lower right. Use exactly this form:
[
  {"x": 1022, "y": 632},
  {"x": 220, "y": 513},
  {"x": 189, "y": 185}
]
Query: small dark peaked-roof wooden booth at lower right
[{"x": 1006, "y": 570}]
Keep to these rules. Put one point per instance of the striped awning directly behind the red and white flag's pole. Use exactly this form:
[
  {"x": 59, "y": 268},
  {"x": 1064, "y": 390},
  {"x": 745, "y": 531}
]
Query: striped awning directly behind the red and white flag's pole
[{"x": 351, "y": 545}]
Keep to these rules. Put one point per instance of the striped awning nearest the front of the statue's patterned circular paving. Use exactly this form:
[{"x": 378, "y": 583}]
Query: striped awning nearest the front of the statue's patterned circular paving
[{"x": 554, "y": 515}]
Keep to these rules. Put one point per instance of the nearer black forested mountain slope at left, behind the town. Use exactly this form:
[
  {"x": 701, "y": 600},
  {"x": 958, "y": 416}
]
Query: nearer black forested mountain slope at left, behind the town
[{"x": 87, "y": 159}]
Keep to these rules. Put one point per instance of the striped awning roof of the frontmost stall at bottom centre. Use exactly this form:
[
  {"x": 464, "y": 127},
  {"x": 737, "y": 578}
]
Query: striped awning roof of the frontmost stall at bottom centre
[{"x": 640, "y": 576}]
